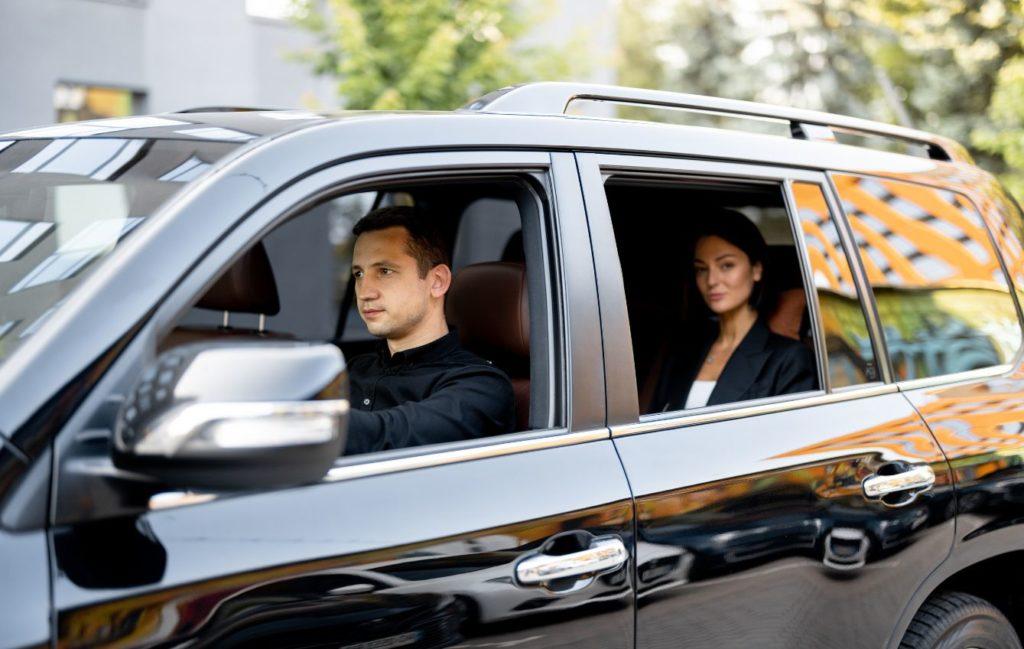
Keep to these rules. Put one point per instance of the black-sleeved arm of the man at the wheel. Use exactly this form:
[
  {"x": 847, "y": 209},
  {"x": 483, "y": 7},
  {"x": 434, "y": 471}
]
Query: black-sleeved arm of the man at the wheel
[{"x": 472, "y": 402}]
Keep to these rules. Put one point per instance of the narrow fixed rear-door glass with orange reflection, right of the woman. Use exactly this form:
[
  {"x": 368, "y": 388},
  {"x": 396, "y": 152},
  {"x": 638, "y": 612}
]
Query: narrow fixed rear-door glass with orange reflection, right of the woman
[{"x": 851, "y": 358}]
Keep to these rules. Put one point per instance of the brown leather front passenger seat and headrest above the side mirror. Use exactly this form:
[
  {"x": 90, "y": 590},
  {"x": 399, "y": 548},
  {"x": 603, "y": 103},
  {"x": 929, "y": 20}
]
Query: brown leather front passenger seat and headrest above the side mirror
[{"x": 248, "y": 287}]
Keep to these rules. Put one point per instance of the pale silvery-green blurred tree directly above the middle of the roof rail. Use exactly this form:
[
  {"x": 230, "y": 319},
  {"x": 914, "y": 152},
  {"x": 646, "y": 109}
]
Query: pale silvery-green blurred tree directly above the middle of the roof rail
[{"x": 813, "y": 54}]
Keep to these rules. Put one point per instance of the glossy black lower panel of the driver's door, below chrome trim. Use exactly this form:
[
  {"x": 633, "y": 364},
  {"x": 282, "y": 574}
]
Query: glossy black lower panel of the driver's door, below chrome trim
[{"x": 315, "y": 567}]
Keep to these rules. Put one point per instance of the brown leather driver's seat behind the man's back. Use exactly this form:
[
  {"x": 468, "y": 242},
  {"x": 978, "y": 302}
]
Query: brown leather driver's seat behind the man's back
[{"x": 489, "y": 308}]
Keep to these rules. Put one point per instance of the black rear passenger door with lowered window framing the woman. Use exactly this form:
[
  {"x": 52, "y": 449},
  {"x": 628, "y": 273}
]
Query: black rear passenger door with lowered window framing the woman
[{"x": 763, "y": 503}]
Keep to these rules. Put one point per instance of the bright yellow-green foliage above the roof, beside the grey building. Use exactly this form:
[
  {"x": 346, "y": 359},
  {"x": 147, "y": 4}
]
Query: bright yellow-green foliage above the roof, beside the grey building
[{"x": 428, "y": 55}]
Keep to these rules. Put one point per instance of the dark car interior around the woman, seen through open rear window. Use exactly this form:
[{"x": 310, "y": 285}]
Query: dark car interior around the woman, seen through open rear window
[{"x": 656, "y": 224}]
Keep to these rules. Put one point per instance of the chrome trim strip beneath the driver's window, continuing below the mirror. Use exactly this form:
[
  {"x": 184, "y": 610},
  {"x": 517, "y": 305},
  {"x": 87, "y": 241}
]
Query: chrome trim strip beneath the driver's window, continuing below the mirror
[{"x": 372, "y": 465}]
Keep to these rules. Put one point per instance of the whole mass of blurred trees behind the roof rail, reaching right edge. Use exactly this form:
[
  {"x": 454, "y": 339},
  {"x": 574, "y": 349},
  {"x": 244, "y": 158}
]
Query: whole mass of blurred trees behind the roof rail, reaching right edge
[{"x": 952, "y": 67}]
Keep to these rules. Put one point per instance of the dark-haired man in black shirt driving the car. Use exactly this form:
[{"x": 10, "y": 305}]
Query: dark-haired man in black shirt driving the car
[{"x": 421, "y": 386}]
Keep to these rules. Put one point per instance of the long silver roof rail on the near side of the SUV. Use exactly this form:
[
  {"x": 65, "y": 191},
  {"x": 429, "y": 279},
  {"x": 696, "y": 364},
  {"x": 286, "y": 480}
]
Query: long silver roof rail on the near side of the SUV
[{"x": 556, "y": 98}]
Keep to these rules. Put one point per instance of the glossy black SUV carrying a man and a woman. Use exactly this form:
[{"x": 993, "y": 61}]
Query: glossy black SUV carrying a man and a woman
[{"x": 177, "y": 302}]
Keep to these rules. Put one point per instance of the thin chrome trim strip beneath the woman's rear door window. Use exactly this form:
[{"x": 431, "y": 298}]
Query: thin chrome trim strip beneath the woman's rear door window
[{"x": 766, "y": 407}]
